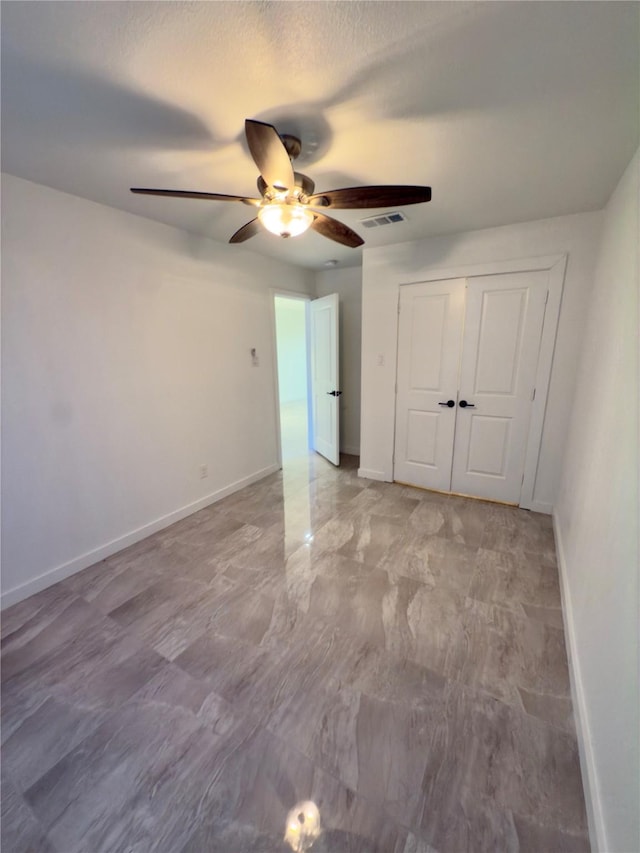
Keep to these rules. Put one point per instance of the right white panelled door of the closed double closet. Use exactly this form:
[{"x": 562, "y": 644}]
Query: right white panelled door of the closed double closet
[{"x": 503, "y": 325}]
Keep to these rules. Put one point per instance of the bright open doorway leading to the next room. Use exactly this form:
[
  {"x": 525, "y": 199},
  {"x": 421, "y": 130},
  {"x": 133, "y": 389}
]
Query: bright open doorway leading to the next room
[{"x": 293, "y": 375}]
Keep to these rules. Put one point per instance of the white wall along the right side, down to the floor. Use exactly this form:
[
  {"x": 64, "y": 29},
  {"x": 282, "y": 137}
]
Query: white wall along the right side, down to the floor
[{"x": 596, "y": 518}]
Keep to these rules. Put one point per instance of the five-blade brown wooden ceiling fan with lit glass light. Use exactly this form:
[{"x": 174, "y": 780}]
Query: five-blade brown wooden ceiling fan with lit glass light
[{"x": 288, "y": 205}]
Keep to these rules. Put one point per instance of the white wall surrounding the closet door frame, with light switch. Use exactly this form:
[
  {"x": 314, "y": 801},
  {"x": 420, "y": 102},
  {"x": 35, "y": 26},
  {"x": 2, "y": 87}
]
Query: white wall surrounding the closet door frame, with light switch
[{"x": 385, "y": 267}]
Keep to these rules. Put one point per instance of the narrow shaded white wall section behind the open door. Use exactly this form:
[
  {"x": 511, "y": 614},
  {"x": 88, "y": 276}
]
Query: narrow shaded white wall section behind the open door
[{"x": 347, "y": 283}]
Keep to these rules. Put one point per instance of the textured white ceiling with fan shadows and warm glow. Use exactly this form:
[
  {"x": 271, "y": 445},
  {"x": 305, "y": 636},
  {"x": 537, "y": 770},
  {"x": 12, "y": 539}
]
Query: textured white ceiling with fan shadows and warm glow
[{"x": 510, "y": 111}]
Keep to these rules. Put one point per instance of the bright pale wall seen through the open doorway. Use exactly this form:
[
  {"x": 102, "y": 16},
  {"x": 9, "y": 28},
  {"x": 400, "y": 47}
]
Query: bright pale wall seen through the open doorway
[{"x": 292, "y": 348}]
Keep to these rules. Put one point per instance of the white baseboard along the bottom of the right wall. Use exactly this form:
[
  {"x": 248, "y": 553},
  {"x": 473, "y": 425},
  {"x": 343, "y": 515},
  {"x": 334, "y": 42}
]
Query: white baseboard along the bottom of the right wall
[{"x": 597, "y": 834}]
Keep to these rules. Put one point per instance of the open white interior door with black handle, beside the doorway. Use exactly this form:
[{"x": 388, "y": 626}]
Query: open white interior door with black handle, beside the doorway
[{"x": 325, "y": 367}]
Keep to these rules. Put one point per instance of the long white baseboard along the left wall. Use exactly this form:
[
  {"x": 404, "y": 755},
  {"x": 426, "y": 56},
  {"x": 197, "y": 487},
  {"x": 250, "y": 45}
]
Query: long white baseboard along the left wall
[{"x": 51, "y": 576}]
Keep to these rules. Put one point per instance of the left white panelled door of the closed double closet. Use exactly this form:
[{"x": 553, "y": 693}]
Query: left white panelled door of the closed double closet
[{"x": 429, "y": 341}]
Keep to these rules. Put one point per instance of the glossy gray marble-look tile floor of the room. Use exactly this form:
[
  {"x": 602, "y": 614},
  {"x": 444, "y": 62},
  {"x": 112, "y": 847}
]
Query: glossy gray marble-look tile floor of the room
[{"x": 393, "y": 655}]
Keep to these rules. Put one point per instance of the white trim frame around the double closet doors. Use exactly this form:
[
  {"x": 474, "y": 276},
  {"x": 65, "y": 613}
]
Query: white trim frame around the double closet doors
[{"x": 555, "y": 265}]
